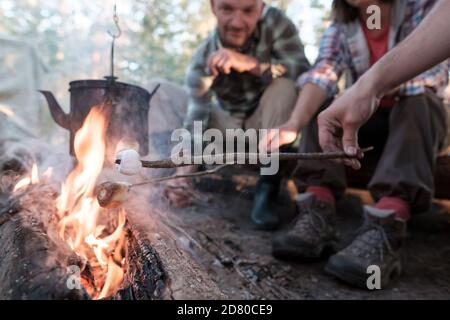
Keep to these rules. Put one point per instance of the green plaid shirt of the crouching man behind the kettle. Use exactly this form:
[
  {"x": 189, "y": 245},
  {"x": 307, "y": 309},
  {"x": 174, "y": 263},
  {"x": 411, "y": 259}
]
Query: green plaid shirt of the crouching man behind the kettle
[{"x": 275, "y": 42}]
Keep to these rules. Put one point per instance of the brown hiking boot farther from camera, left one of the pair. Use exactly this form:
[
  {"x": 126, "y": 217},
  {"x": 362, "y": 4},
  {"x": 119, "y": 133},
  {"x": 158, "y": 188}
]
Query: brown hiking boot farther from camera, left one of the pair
[{"x": 310, "y": 233}]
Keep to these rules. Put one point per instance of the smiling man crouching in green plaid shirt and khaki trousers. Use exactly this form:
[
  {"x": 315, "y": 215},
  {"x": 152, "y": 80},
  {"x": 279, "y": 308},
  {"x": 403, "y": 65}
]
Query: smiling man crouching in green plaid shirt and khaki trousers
[{"x": 243, "y": 77}]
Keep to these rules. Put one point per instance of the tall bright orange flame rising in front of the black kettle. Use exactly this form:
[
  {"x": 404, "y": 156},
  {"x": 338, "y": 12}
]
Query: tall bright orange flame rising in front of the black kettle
[{"x": 79, "y": 211}]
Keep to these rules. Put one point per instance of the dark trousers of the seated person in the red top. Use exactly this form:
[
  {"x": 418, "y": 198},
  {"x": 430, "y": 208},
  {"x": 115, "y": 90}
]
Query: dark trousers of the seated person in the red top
[{"x": 407, "y": 140}]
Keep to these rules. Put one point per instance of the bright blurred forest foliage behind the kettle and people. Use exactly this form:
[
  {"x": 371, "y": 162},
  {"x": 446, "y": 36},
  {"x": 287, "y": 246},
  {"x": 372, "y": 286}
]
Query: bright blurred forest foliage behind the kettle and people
[{"x": 159, "y": 36}]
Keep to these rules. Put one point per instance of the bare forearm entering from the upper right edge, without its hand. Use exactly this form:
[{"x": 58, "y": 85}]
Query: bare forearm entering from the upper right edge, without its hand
[{"x": 428, "y": 45}]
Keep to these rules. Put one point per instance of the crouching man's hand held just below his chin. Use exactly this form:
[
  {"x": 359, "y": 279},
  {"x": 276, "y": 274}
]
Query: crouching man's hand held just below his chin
[{"x": 224, "y": 60}]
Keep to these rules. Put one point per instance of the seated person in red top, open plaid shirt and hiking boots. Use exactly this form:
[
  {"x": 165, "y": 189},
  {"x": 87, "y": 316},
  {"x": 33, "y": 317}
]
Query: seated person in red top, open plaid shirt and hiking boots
[{"x": 408, "y": 130}]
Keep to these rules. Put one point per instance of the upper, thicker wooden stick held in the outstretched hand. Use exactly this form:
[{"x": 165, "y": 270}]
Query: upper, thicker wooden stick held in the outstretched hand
[{"x": 168, "y": 163}]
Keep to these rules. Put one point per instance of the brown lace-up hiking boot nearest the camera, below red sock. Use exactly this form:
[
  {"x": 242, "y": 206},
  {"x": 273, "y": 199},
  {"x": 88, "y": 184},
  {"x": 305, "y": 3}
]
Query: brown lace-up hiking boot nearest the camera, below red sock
[{"x": 377, "y": 244}]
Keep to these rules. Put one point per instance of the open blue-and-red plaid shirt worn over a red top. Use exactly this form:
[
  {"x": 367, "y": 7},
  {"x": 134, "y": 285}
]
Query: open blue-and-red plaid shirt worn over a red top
[{"x": 344, "y": 48}]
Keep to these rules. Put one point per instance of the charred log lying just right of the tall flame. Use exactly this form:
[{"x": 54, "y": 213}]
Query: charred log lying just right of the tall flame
[{"x": 169, "y": 250}]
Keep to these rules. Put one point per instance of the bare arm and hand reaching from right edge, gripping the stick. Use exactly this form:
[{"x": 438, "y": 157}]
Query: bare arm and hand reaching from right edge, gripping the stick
[{"x": 428, "y": 45}]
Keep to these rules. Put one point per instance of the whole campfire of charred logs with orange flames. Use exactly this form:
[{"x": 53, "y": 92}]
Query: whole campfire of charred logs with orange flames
[{"x": 51, "y": 230}]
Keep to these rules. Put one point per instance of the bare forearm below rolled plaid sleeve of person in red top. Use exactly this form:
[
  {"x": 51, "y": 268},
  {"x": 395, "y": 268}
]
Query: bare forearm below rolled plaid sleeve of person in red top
[{"x": 311, "y": 98}]
